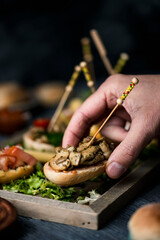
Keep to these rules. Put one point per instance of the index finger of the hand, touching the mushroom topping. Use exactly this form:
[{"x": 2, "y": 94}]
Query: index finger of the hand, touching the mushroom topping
[{"x": 92, "y": 110}]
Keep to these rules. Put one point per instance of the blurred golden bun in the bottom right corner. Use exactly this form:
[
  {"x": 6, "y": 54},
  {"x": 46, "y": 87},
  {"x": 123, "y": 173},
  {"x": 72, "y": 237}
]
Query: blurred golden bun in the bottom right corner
[{"x": 145, "y": 223}]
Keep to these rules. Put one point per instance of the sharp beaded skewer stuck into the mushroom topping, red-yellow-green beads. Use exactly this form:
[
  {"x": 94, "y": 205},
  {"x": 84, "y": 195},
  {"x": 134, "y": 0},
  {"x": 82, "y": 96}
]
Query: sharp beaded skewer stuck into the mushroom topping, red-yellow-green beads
[{"x": 119, "y": 102}]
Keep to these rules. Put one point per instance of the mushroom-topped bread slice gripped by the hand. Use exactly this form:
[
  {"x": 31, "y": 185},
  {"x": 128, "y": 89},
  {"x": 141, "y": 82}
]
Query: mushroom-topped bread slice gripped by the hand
[{"x": 73, "y": 165}]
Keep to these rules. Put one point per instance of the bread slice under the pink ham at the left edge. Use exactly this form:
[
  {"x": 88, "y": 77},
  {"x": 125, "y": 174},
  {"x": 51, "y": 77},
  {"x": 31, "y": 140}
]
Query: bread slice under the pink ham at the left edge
[{"x": 12, "y": 174}]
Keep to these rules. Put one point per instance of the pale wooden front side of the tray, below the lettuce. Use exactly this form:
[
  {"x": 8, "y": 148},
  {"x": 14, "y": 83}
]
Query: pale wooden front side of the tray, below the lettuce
[{"x": 52, "y": 210}]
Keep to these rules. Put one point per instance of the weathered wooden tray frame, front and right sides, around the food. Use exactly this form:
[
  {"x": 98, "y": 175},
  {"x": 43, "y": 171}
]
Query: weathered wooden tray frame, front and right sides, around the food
[{"x": 93, "y": 216}]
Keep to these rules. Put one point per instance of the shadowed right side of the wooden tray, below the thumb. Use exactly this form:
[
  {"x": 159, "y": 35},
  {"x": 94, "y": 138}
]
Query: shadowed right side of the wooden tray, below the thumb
[{"x": 121, "y": 193}]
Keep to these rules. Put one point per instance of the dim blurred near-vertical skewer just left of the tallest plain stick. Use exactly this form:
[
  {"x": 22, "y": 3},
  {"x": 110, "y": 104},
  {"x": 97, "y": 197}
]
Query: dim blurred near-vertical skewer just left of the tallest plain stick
[{"x": 87, "y": 56}]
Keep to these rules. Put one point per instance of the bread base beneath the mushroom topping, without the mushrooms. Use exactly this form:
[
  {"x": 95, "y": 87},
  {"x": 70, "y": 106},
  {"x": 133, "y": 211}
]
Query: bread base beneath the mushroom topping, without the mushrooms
[{"x": 72, "y": 177}]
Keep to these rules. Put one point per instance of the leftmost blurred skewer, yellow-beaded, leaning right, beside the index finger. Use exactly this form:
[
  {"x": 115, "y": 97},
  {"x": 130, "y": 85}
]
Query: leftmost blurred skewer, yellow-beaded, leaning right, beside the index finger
[{"x": 64, "y": 98}]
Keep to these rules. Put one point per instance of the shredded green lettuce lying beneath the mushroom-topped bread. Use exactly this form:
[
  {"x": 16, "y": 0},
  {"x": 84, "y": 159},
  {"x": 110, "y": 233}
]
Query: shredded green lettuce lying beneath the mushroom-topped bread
[{"x": 37, "y": 184}]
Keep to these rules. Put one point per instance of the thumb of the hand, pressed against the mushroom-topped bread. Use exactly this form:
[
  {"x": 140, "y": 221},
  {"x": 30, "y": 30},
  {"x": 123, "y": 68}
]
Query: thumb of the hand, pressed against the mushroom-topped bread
[{"x": 129, "y": 149}]
